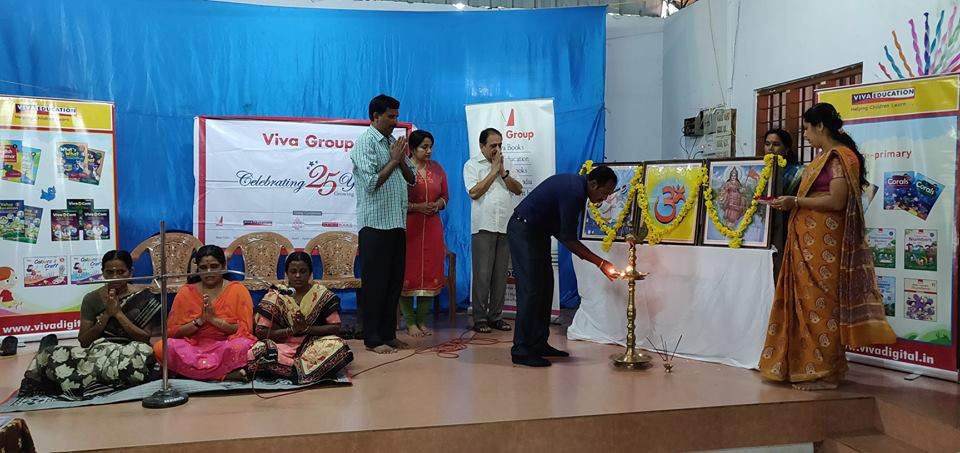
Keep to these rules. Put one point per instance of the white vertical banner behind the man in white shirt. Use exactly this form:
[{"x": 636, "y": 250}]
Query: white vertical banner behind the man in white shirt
[{"x": 529, "y": 144}]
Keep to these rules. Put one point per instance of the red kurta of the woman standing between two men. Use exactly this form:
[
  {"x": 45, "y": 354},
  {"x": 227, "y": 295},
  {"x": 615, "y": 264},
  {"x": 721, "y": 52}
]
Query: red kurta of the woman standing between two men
[{"x": 423, "y": 273}]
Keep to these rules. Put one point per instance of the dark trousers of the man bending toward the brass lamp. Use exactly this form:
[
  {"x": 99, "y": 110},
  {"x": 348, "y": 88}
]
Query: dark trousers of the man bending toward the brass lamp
[{"x": 530, "y": 252}]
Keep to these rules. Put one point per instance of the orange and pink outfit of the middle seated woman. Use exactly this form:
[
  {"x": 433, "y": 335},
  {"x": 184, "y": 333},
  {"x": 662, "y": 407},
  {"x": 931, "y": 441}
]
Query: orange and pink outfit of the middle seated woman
[{"x": 209, "y": 354}]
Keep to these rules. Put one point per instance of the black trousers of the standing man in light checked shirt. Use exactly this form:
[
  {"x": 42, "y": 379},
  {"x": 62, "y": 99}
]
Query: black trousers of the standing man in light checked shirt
[{"x": 382, "y": 263}]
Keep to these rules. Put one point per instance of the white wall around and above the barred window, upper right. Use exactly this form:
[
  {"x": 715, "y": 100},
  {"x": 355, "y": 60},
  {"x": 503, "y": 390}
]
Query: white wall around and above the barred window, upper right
[{"x": 766, "y": 42}]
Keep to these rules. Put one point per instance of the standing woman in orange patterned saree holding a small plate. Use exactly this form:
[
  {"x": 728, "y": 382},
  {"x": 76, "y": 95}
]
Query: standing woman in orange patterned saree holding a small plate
[{"x": 826, "y": 296}]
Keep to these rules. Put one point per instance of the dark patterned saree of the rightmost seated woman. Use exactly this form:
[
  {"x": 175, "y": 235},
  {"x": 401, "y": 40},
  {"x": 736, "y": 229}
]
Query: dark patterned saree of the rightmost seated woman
[{"x": 302, "y": 359}]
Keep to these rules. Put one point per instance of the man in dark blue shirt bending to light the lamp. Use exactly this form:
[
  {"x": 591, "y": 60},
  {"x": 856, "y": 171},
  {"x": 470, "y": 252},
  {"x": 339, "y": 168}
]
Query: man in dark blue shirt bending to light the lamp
[{"x": 552, "y": 209}]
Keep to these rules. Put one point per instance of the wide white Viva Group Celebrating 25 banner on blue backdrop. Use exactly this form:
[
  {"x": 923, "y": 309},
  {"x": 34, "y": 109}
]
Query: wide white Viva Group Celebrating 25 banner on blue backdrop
[{"x": 293, "y": 177}]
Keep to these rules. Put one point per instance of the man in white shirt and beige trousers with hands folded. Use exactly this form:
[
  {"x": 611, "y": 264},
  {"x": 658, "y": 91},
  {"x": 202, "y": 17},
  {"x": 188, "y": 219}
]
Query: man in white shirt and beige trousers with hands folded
[{"x": 493, "y": 190}]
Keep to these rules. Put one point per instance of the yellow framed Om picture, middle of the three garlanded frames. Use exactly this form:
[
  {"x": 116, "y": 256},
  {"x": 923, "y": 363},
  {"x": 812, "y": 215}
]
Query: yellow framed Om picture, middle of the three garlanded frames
[{"x": 669, "y": 186}]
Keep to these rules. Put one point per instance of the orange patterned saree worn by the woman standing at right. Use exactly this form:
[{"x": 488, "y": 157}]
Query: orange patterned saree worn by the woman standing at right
[{"x": 826, "y": 296}]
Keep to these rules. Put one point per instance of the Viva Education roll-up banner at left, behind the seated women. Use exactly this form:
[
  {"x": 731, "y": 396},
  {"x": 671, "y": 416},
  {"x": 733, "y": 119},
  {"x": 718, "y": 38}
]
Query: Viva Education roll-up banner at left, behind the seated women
[{"x": 58, "y": 210}]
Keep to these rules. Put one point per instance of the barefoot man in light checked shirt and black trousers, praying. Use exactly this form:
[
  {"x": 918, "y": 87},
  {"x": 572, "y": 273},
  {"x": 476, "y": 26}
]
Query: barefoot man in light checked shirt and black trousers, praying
[{"x": 383, "y": 172}]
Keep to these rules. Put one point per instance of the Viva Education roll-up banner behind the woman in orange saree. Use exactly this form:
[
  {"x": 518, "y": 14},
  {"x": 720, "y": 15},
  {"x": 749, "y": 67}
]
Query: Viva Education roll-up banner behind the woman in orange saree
[{"x": 907, "y": 132}]
